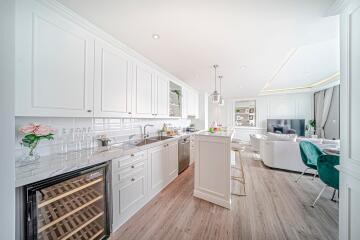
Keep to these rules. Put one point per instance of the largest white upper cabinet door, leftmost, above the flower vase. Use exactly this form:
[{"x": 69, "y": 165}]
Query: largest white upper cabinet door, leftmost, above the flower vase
[{"x": 54, "y": 64}]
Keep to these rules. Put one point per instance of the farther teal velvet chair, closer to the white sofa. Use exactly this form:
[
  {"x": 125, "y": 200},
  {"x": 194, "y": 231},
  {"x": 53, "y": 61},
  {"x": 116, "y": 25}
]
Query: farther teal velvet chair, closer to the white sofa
[{"x": 309, "y": 155}]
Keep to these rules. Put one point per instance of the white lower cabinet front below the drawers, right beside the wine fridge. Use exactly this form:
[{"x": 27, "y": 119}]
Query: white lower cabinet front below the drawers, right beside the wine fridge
[{"x": 128, "y": 198}]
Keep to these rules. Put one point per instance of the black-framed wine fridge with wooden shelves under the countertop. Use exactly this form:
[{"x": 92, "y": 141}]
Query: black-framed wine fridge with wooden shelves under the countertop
[{"x": 68, "y": 207}]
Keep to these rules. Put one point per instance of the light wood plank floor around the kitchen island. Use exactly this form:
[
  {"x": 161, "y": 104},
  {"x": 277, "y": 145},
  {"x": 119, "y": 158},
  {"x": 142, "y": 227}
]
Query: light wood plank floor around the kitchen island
[{"x": 275, "y": 208}]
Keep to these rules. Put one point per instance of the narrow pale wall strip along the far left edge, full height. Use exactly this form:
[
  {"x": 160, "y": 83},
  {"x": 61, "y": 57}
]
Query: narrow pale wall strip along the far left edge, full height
[{"x": 7, "y": 166}]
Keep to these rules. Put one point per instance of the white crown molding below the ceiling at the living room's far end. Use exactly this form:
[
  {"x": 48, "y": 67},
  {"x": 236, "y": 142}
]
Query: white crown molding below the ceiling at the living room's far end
[{"x": 330, "y": 81}]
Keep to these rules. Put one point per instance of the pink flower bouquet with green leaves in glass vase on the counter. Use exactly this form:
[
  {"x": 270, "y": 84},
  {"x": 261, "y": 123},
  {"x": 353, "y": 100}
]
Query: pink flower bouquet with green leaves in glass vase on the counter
[{"x": 34, "y": 133}]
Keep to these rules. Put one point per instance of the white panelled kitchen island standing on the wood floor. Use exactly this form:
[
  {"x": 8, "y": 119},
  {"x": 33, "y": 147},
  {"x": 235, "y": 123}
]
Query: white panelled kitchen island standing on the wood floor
[{"x": 213, "y": 167}]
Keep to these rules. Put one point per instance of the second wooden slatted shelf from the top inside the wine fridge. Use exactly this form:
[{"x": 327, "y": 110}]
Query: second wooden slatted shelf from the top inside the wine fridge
[{"x": 55, "y": 212}]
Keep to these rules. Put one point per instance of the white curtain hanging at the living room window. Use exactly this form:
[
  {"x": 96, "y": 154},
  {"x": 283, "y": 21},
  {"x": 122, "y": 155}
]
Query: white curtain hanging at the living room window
[{"x": 322, "y": 107}]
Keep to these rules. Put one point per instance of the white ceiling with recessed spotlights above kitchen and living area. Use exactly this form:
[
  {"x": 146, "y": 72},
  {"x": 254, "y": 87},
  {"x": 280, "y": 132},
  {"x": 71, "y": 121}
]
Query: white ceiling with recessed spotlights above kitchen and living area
[{"x": 282, "y": 43}]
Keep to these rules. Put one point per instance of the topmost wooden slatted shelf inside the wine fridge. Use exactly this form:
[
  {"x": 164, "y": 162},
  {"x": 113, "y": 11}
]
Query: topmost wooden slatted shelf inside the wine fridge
[{"x": 59, "y": 191}]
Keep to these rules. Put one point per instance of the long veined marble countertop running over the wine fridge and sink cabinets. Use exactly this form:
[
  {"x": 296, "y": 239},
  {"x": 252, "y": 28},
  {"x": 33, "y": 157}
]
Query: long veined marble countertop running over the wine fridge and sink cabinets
[{"x": 54, "y": 165}]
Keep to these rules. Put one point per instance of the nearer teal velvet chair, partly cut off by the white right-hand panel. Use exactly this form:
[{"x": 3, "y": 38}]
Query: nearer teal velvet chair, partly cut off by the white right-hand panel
[{"x": 328, "y": 173}]
